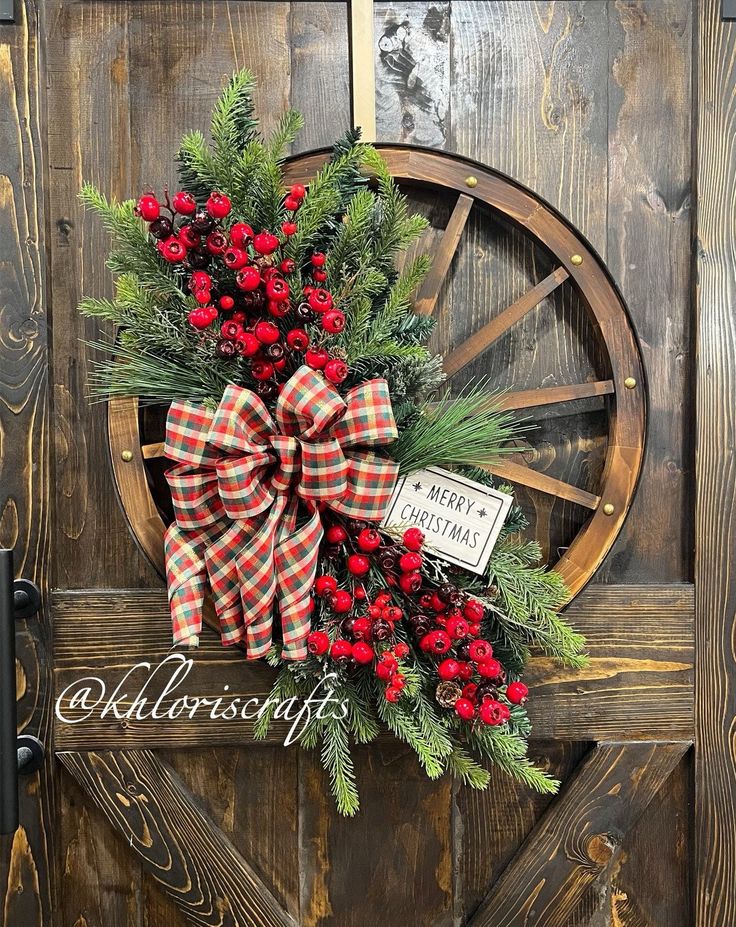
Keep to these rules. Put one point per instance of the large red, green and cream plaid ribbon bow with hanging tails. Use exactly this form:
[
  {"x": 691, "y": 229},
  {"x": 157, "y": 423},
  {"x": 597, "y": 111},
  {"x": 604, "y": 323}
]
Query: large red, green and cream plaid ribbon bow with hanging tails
[{"x": 246, "y": 491}]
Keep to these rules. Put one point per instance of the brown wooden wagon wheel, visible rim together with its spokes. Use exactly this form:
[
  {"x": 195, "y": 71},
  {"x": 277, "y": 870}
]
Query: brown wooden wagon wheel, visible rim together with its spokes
[{"x": 574, "y": 264}]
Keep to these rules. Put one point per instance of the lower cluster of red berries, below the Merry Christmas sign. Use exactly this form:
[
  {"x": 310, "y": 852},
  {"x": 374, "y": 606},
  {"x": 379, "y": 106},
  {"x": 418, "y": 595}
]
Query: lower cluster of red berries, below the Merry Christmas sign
[{"x": 445, "y": 621}]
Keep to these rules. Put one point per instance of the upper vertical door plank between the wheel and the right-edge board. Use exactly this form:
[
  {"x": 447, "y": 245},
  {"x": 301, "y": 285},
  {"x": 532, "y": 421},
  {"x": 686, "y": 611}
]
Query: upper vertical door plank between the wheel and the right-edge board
[{"x": 649, "y": 246}]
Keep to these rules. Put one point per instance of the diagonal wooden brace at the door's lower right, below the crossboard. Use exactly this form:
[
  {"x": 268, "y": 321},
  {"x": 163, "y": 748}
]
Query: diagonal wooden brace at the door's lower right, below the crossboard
[{"x": 579, "y": 835}]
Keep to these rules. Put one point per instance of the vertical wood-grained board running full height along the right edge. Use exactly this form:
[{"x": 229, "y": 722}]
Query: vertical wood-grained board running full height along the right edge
[{"x": 715, "y": 550}]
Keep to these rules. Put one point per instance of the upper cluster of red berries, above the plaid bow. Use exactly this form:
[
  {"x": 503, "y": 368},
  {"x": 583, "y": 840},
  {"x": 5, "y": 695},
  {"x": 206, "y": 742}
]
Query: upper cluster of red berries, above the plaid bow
[{"x": 246, "y": 305}]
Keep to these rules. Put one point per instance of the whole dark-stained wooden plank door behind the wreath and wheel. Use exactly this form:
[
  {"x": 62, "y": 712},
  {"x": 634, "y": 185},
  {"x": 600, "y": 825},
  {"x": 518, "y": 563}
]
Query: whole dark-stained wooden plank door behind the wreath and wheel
[{"x": 592, "y": 105}]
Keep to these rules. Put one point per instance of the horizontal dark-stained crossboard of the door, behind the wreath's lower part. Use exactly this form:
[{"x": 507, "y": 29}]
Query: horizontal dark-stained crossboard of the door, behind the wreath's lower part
[{"x": 638, "y": 684}]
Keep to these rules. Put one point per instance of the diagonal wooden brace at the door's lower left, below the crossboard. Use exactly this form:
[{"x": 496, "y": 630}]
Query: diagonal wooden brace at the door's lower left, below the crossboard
[{"x": 186, "y": 853}]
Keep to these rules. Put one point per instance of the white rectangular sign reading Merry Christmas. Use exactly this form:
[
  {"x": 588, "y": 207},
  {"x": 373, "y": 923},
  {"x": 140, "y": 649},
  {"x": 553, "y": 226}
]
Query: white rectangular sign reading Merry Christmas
[{"x": 461, "y": 519}]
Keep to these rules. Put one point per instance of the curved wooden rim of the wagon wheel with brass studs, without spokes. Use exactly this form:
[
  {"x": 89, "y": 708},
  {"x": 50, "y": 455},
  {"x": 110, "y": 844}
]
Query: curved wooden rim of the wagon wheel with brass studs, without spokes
[{"x": 577, "y": 261}]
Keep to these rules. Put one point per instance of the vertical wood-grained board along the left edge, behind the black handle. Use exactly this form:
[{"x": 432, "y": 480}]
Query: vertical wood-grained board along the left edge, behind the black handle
[{"x": 27, "y": 864}]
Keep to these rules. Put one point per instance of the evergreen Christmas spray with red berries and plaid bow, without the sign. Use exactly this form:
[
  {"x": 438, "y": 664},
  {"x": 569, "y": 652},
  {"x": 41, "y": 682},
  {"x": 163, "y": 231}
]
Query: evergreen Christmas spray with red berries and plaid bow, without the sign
[{"x": 277, "y": 325}]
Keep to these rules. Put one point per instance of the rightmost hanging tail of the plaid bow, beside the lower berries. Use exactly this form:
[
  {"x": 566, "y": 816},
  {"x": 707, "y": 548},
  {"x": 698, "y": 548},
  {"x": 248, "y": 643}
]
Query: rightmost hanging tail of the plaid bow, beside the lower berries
[{"x": 295, "y": 563}]
